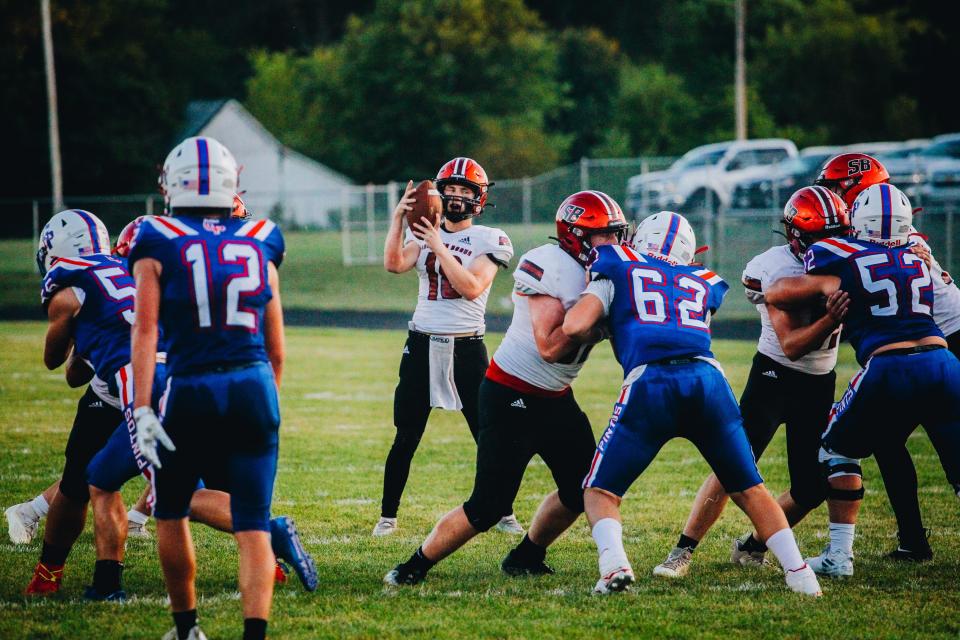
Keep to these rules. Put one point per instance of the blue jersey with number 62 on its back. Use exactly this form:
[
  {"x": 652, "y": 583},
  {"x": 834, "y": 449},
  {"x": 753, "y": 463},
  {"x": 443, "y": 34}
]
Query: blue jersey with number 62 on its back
[{"x": 657, "y": 310}]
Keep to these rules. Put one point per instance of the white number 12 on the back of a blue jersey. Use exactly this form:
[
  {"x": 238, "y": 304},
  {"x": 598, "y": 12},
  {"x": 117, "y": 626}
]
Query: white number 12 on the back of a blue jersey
[{"x": 237, "y": 286}]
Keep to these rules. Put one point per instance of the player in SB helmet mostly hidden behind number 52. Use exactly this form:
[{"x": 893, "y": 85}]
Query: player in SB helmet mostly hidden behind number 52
[{"x": 847, "y": 175}]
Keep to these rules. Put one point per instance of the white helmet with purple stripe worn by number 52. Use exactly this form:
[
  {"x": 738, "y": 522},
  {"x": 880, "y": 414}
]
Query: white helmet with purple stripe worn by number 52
[{"x": 882, "y": 214}]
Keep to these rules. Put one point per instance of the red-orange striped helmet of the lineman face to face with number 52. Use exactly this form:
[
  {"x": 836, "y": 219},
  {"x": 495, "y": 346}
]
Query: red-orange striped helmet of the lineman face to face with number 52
[{"x": 811, "y": 214}]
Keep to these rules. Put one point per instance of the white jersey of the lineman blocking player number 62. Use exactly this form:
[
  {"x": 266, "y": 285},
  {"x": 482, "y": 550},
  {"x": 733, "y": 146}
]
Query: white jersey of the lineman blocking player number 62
[{"x": 547, "y": 270}]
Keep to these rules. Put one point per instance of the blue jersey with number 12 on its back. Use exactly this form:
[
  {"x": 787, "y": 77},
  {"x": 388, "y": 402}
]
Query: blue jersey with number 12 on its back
[{"x": 214, "y": 287}]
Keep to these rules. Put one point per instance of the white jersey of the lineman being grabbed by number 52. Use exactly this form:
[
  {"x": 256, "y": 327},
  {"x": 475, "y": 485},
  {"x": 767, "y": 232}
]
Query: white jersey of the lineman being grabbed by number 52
[{"x": 765, "y": 269}]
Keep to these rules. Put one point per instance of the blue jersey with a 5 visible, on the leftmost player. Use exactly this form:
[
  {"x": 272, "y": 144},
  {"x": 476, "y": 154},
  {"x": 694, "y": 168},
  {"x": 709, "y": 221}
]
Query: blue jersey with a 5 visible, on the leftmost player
[{"x": 105, "y": 289}]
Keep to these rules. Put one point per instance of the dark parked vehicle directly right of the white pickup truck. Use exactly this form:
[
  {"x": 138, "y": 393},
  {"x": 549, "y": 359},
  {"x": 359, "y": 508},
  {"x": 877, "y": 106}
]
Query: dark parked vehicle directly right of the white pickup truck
[{"x": 787, "y": 176}]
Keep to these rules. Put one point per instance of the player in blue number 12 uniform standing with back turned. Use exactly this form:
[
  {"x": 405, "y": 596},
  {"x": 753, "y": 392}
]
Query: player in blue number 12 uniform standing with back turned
[{"x": 211, "y": 280}]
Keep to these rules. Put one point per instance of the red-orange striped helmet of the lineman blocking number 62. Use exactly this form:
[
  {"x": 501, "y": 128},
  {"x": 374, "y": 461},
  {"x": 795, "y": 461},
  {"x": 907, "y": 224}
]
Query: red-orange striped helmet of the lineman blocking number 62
[{"x": 584, "y": 214}]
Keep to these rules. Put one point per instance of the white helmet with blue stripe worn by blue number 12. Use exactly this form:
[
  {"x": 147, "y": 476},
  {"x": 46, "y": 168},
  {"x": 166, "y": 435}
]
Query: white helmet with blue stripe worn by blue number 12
[{"x": 199, "y": 172}]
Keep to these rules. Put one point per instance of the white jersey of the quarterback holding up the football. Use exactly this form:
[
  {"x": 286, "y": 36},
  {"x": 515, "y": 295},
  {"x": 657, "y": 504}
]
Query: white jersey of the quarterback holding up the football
[{"x": 440, "y": 309}]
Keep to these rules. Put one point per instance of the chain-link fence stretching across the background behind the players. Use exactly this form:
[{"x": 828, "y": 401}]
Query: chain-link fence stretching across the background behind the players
[{"x": 361, "y": 214}]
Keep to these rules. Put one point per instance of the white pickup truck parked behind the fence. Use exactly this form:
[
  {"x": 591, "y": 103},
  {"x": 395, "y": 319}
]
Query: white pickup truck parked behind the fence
[{"x": 705, "y": 176}]
